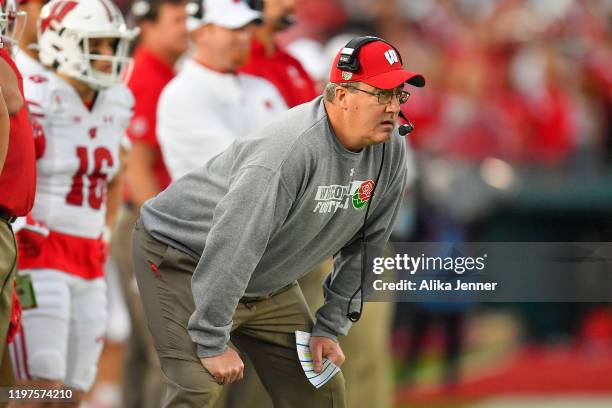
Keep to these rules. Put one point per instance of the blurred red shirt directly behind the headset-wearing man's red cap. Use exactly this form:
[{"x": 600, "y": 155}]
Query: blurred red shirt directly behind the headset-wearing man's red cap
[{"x": 284, "y": 71}]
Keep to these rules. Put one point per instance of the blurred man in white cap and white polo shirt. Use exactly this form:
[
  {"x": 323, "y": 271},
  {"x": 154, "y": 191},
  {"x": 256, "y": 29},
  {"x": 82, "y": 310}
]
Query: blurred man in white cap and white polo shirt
[{"x": 208, "y": 104}]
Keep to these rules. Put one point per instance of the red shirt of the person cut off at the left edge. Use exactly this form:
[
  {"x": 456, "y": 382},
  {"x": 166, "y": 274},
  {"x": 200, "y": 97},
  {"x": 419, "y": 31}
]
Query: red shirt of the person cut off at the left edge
[{"x": 18, "y": 178}]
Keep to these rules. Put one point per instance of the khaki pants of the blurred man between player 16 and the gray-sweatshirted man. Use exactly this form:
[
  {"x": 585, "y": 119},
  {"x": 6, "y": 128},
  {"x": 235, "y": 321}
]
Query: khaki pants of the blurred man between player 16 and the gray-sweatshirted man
[{"x": 142, "y": 383}]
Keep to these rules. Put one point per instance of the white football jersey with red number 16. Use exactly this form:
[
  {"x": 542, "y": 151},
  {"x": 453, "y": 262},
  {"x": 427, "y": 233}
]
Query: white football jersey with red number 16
[{"x": 81, "y": 154}]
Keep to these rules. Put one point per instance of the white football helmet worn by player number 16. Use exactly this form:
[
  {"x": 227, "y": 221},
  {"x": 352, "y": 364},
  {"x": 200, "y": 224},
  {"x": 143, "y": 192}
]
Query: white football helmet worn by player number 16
[{"x": 64, "y": 30}]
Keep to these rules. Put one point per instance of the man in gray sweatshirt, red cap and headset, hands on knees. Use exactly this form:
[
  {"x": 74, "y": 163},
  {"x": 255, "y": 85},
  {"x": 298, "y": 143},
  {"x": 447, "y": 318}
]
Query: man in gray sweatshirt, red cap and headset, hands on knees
[{"x": 217, "y": 254}]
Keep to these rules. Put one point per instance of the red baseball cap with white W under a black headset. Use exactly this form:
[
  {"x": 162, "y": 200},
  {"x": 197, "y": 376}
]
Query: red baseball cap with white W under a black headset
[{"x": 379, "y": 66}]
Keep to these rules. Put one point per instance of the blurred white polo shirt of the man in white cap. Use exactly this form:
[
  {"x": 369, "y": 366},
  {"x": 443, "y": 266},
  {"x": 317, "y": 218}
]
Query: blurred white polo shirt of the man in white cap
[{"x": 202, "y": 111}]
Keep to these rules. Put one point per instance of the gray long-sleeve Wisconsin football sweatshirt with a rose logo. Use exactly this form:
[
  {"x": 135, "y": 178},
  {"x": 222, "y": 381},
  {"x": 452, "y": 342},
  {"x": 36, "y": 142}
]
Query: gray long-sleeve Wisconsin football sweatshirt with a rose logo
[{"x": 268, "y": 209}]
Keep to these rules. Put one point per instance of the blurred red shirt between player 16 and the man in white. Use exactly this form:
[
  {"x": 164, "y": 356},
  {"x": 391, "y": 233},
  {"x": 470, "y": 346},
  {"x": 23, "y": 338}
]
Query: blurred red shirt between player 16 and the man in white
[{"x": 149, "y": 77}]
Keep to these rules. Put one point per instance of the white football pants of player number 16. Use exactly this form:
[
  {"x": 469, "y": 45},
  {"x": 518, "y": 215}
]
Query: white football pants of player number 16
[{"x": 62, "y": 338}]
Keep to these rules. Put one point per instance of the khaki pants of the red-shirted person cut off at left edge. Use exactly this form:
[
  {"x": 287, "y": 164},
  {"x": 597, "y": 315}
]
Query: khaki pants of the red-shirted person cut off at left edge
[{"x": 8, "y": 267}]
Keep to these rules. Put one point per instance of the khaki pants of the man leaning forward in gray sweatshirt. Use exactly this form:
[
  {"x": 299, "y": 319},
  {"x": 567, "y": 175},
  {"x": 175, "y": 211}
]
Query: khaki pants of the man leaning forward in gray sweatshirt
[{"x": 264, "y": 330}]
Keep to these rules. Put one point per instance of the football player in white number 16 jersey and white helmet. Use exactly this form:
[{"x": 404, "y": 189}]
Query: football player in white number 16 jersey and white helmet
[{"x": 83, "y": 110}]
